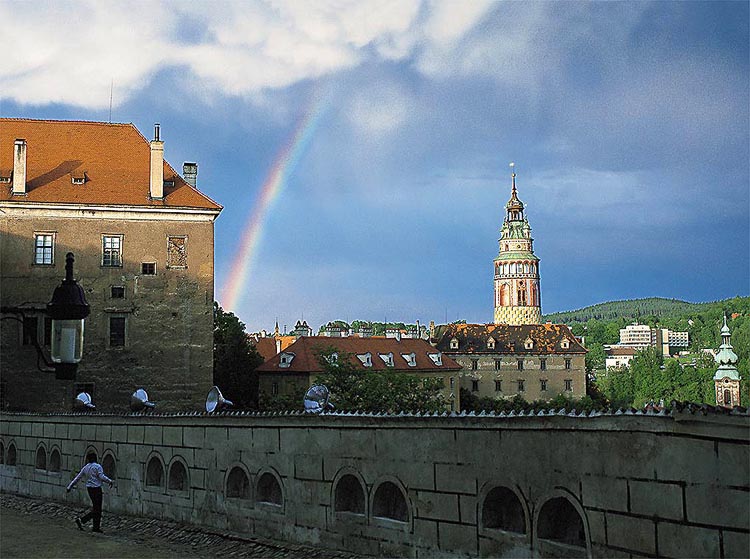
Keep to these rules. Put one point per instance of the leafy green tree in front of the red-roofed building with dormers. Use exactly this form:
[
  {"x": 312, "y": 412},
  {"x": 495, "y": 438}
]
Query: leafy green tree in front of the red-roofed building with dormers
[{"x": 355, "y": 389}]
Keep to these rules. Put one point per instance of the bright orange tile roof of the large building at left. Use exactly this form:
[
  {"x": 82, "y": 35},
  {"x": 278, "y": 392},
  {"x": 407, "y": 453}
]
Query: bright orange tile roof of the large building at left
[{"x": 113, "y": 158}]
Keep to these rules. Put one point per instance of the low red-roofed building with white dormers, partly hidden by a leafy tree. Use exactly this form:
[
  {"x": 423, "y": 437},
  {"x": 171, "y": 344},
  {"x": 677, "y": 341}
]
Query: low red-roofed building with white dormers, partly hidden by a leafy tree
[{"x": 296, "y": 367}]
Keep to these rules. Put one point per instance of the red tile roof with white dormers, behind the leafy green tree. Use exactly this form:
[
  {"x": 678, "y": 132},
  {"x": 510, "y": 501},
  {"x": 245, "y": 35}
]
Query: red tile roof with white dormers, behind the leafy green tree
[{"x": 307, "y": 348}]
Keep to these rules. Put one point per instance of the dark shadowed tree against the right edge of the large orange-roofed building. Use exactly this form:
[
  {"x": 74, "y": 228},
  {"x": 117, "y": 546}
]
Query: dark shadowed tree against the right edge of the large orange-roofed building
[{"x": 235, "y": 360}]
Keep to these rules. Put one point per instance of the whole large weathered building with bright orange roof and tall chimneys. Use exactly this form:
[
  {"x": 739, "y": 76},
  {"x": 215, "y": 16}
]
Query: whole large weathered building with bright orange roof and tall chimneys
[{"x": 143, "y": 239}]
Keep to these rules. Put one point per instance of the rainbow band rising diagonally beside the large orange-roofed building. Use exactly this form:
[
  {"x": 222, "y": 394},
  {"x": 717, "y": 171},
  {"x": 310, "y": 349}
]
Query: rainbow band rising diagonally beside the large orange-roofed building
[{"x": 283, "y": 166}]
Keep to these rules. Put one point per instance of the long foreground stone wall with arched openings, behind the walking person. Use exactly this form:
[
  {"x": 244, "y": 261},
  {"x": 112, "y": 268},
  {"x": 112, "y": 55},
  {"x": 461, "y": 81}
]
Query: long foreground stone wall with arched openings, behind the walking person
[{"x": 557, "y": 485}]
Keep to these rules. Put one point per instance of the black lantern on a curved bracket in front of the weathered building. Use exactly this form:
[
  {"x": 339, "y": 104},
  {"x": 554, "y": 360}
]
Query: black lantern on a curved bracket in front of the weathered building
[{"x": 67, "y": 309}]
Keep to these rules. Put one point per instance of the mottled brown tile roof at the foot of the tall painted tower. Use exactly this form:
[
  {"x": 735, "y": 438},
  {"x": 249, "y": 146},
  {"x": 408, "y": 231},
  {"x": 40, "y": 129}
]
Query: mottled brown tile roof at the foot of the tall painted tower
[{"x": 509, "y": 339}]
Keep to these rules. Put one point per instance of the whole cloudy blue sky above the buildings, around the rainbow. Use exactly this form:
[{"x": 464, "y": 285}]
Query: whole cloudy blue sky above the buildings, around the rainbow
[{"x": 628, "y": 123}]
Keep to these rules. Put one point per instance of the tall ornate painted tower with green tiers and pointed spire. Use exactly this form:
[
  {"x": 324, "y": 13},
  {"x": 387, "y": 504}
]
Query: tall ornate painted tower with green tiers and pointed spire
[{"x": 517, "y": 296}]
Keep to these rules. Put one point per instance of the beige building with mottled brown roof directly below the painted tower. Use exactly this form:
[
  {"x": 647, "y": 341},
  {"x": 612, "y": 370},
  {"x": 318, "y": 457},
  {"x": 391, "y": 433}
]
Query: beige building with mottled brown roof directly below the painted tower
[{"x": 535, "y": 361}]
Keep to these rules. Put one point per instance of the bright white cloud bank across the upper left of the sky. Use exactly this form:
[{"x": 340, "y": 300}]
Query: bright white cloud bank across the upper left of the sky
[{"x": 69, "y": 52}]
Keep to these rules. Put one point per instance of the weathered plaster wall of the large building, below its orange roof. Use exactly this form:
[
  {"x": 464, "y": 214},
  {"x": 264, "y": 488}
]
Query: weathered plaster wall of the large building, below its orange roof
[{"x": 168, "y": 316}]
